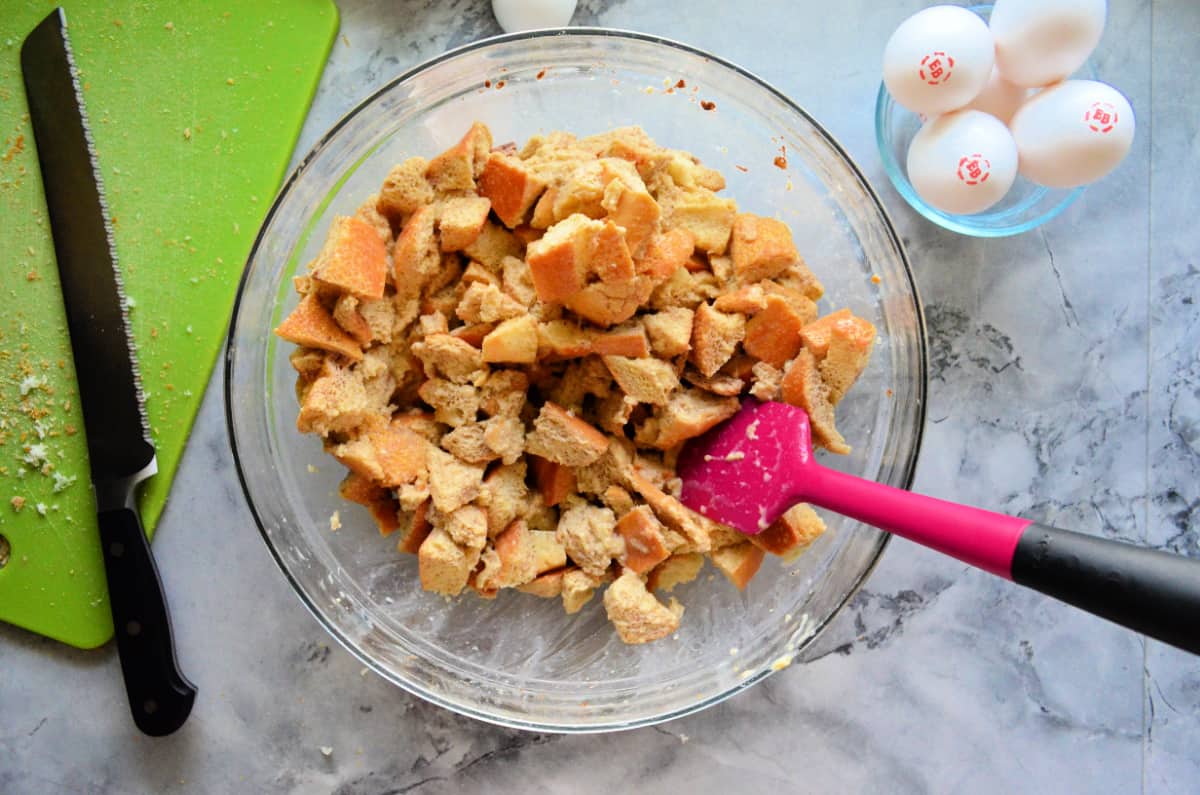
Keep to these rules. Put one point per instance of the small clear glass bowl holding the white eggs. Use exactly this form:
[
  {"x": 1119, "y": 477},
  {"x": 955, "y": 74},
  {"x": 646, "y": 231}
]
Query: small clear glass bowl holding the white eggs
[{"x": 1025, "y": 207}]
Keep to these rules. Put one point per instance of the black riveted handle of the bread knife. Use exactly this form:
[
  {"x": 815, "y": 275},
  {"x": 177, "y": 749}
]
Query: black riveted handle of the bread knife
[{"x": 160, "y": 696}]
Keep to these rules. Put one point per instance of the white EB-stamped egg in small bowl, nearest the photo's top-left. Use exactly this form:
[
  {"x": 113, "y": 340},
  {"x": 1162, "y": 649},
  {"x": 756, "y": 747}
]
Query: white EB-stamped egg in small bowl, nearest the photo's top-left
[{"x": 939, "y": 59}]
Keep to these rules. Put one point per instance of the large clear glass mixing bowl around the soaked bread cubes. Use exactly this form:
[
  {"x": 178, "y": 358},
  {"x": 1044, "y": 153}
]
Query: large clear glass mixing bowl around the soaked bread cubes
[{"x": 518, "y": 660}]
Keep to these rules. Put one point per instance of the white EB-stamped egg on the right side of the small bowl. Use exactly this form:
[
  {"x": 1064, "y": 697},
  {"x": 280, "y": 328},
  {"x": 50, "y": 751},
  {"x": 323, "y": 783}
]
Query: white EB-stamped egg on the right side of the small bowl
[{"x": 1073, "y": 134}]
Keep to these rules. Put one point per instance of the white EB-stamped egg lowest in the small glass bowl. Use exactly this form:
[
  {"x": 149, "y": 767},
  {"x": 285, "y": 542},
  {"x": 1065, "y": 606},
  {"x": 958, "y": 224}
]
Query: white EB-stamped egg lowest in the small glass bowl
[{"x": 963, "y": 163}]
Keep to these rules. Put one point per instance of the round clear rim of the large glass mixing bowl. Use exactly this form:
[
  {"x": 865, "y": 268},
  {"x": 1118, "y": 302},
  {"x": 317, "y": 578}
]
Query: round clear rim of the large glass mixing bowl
[{"x": 908, "y": 470}]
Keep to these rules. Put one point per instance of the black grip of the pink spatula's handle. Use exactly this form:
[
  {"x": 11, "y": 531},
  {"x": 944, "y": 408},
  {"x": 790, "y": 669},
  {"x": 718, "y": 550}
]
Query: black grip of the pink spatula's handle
[{"x": 1144, "y": 590}]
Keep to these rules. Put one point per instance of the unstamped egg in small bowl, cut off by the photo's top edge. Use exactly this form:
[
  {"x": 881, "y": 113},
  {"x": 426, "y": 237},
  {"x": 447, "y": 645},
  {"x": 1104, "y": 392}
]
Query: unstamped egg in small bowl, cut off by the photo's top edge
[{"x": 1040, "y": 43}]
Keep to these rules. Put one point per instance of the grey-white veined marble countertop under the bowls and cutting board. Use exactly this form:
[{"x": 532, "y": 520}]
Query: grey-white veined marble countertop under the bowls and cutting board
[{"x": 1065, "y": 385}]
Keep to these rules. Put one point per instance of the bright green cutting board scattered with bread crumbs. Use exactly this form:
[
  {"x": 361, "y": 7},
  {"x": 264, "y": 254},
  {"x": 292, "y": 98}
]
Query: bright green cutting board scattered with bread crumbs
[{"x": 195, "y": 110}]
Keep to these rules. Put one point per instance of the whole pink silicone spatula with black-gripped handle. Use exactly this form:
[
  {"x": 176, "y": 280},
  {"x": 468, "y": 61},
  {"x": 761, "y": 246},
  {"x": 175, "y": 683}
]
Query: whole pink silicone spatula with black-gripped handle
[{"x": 748, "y": 471}]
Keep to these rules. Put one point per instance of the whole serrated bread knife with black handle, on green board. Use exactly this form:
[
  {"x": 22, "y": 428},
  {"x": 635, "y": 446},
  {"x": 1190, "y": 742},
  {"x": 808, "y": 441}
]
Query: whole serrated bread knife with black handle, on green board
[{"x": 119, "y": 447}]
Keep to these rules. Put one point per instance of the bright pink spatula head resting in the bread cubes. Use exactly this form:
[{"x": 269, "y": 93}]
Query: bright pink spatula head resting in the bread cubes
[{"x": 747, "y": 471}]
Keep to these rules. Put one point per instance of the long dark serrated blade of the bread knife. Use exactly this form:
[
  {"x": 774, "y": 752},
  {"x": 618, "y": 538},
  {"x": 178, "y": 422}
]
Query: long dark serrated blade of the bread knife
[{"x": 106, "y": 367}]
